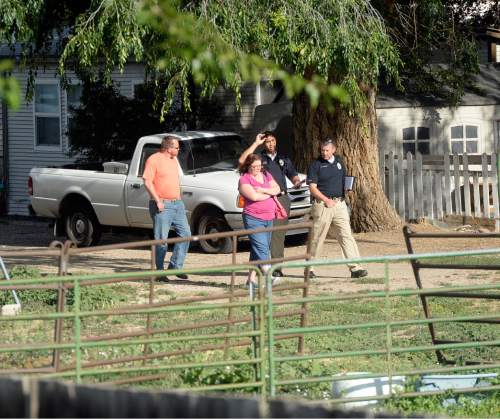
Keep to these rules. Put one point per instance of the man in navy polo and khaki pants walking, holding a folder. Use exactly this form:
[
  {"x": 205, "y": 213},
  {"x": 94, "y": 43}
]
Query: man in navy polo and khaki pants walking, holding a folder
[{"x": 326, "y": 177}]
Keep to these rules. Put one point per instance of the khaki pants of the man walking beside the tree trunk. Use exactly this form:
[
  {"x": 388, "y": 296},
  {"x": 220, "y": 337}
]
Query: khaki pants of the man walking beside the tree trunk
[{"x": 338, "y": 216}]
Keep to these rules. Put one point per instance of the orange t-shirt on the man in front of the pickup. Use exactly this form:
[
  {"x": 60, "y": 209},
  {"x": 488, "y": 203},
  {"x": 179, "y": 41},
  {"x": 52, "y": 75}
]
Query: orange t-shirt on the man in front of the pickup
[{"x": 164, "y": 172}]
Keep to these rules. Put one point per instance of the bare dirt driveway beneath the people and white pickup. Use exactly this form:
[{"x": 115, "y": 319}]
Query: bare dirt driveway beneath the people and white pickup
[{"x": 16, "y": 233}]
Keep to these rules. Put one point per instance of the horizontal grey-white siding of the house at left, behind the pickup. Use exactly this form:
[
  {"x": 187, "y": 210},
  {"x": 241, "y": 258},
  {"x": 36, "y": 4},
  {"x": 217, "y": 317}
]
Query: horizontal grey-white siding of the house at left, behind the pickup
[{"x": 22, "y": 153}]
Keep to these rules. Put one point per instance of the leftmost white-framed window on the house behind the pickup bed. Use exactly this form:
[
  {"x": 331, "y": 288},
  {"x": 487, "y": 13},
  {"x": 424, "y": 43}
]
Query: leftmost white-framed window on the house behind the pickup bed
[{"x": 47, "y": 115}]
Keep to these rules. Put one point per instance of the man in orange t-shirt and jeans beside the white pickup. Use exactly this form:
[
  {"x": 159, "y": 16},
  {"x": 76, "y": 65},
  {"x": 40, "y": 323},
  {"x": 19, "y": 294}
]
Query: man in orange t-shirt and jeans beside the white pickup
[{"x": 161, "y": 179}]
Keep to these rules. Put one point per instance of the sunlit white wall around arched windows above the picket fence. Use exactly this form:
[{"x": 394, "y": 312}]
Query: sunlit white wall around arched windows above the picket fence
[{"x": 391, "y": 122}]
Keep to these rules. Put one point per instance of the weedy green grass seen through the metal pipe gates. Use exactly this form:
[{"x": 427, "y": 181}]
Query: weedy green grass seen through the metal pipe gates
[{"x": 347, "y": 313}]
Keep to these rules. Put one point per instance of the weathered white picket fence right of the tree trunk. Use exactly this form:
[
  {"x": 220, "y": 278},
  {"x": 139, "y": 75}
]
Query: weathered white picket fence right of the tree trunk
[{"x": 434, "y": 186}]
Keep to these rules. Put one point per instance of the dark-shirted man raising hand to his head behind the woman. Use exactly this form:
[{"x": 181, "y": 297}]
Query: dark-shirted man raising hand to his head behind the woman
[{"x": 280, "y": 167}]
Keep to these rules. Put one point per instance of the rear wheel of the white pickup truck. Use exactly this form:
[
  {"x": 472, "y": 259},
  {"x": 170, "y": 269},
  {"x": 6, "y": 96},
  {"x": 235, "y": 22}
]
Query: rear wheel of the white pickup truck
[{"x": 82, "y": 227}]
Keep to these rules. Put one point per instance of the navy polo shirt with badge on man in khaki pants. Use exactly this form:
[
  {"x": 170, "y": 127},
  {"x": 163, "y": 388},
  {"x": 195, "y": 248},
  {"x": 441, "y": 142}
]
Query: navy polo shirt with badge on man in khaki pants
[{"x": 328, "y": 176}]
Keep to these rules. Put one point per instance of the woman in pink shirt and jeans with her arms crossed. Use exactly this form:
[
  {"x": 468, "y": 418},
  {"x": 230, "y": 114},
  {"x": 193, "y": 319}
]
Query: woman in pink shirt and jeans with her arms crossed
[{"x": 257, "y": 188}]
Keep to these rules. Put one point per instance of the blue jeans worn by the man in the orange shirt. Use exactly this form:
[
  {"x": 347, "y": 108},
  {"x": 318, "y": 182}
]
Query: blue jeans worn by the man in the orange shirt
[{"x": 174, "y": 215}]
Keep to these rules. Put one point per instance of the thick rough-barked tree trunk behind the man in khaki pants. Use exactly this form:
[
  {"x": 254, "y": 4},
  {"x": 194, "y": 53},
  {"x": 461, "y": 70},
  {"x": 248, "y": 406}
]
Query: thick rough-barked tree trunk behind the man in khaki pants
[{"x": 357, "y": 143}]
